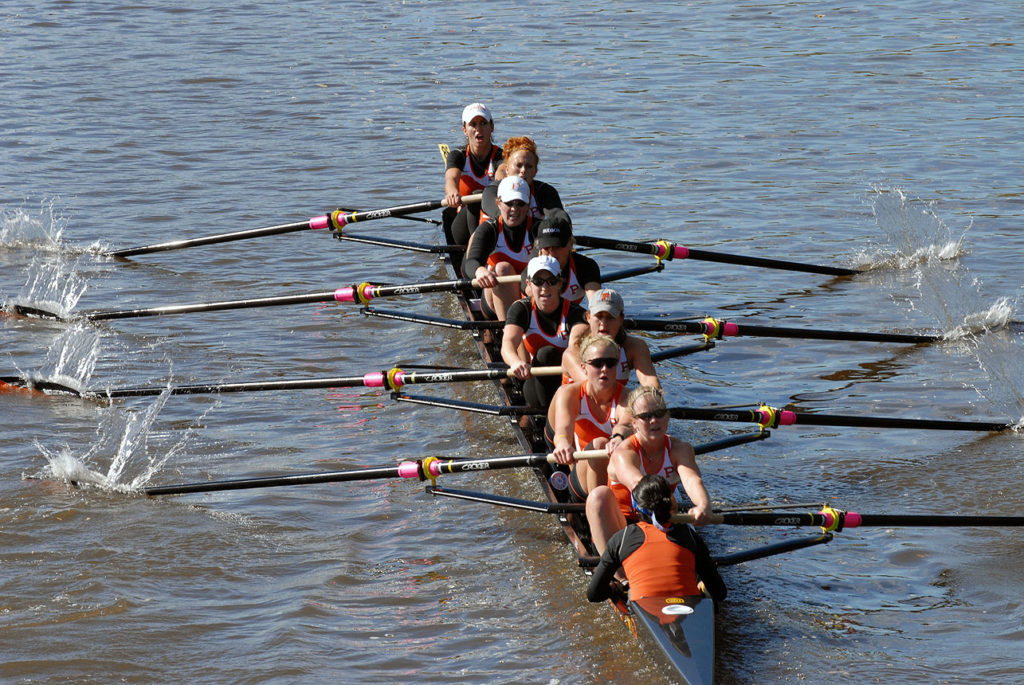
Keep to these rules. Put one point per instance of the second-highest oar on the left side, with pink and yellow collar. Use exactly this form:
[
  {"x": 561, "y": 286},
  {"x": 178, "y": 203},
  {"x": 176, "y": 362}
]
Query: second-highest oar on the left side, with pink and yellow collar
[{"x": 362, "y": 293}]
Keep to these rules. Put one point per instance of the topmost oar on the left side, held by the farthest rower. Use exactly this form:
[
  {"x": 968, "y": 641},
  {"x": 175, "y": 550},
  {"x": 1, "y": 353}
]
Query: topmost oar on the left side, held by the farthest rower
[{"x": 335, "y": 222}]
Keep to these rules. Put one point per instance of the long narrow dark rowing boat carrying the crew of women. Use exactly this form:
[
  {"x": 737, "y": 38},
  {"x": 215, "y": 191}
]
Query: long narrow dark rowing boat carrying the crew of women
[{"x": 680, "y": 631}]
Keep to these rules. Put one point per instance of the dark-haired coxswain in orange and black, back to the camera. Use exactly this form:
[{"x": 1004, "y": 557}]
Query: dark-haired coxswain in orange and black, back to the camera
[{"x": 660, "y": 560}]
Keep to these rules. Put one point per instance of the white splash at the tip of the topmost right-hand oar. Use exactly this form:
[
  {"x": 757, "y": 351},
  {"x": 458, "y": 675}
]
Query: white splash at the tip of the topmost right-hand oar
[{"x": 915, "y": 233}]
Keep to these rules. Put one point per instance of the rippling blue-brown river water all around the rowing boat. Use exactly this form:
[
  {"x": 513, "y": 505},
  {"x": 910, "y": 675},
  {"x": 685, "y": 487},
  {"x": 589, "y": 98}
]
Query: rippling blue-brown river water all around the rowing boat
[{"x": 878, "y": 137}]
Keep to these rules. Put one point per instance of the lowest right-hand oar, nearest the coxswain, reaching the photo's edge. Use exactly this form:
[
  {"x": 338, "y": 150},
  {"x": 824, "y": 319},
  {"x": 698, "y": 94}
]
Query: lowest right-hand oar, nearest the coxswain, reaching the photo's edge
[{"x": 835, "y": 520}]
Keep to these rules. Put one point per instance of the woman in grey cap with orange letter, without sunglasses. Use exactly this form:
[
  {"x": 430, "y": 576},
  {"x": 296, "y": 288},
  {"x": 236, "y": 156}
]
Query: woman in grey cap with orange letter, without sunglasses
[{"x": 606, "y": 316}]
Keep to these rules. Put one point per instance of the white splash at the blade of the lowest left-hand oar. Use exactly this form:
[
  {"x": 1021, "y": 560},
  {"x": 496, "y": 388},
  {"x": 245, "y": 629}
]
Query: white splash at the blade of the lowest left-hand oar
[{"x": 123, "y": 444}]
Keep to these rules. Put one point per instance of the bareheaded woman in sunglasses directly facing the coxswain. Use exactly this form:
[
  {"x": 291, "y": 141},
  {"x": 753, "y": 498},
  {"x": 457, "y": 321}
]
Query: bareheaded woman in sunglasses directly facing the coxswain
[{"x": 650, "y": 450}]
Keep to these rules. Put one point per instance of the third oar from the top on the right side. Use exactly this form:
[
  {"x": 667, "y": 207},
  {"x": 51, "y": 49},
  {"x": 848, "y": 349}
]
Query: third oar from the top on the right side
[{"x": 771, "y": 417}]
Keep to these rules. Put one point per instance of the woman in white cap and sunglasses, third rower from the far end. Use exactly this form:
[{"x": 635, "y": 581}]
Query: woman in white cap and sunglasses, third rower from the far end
[{"x": 501, "y": 247}]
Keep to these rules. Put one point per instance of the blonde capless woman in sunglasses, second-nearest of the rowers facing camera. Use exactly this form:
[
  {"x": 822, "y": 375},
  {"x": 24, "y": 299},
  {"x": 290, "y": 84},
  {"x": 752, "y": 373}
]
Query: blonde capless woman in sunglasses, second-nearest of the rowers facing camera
[{"x": 585, "y": 415}]
